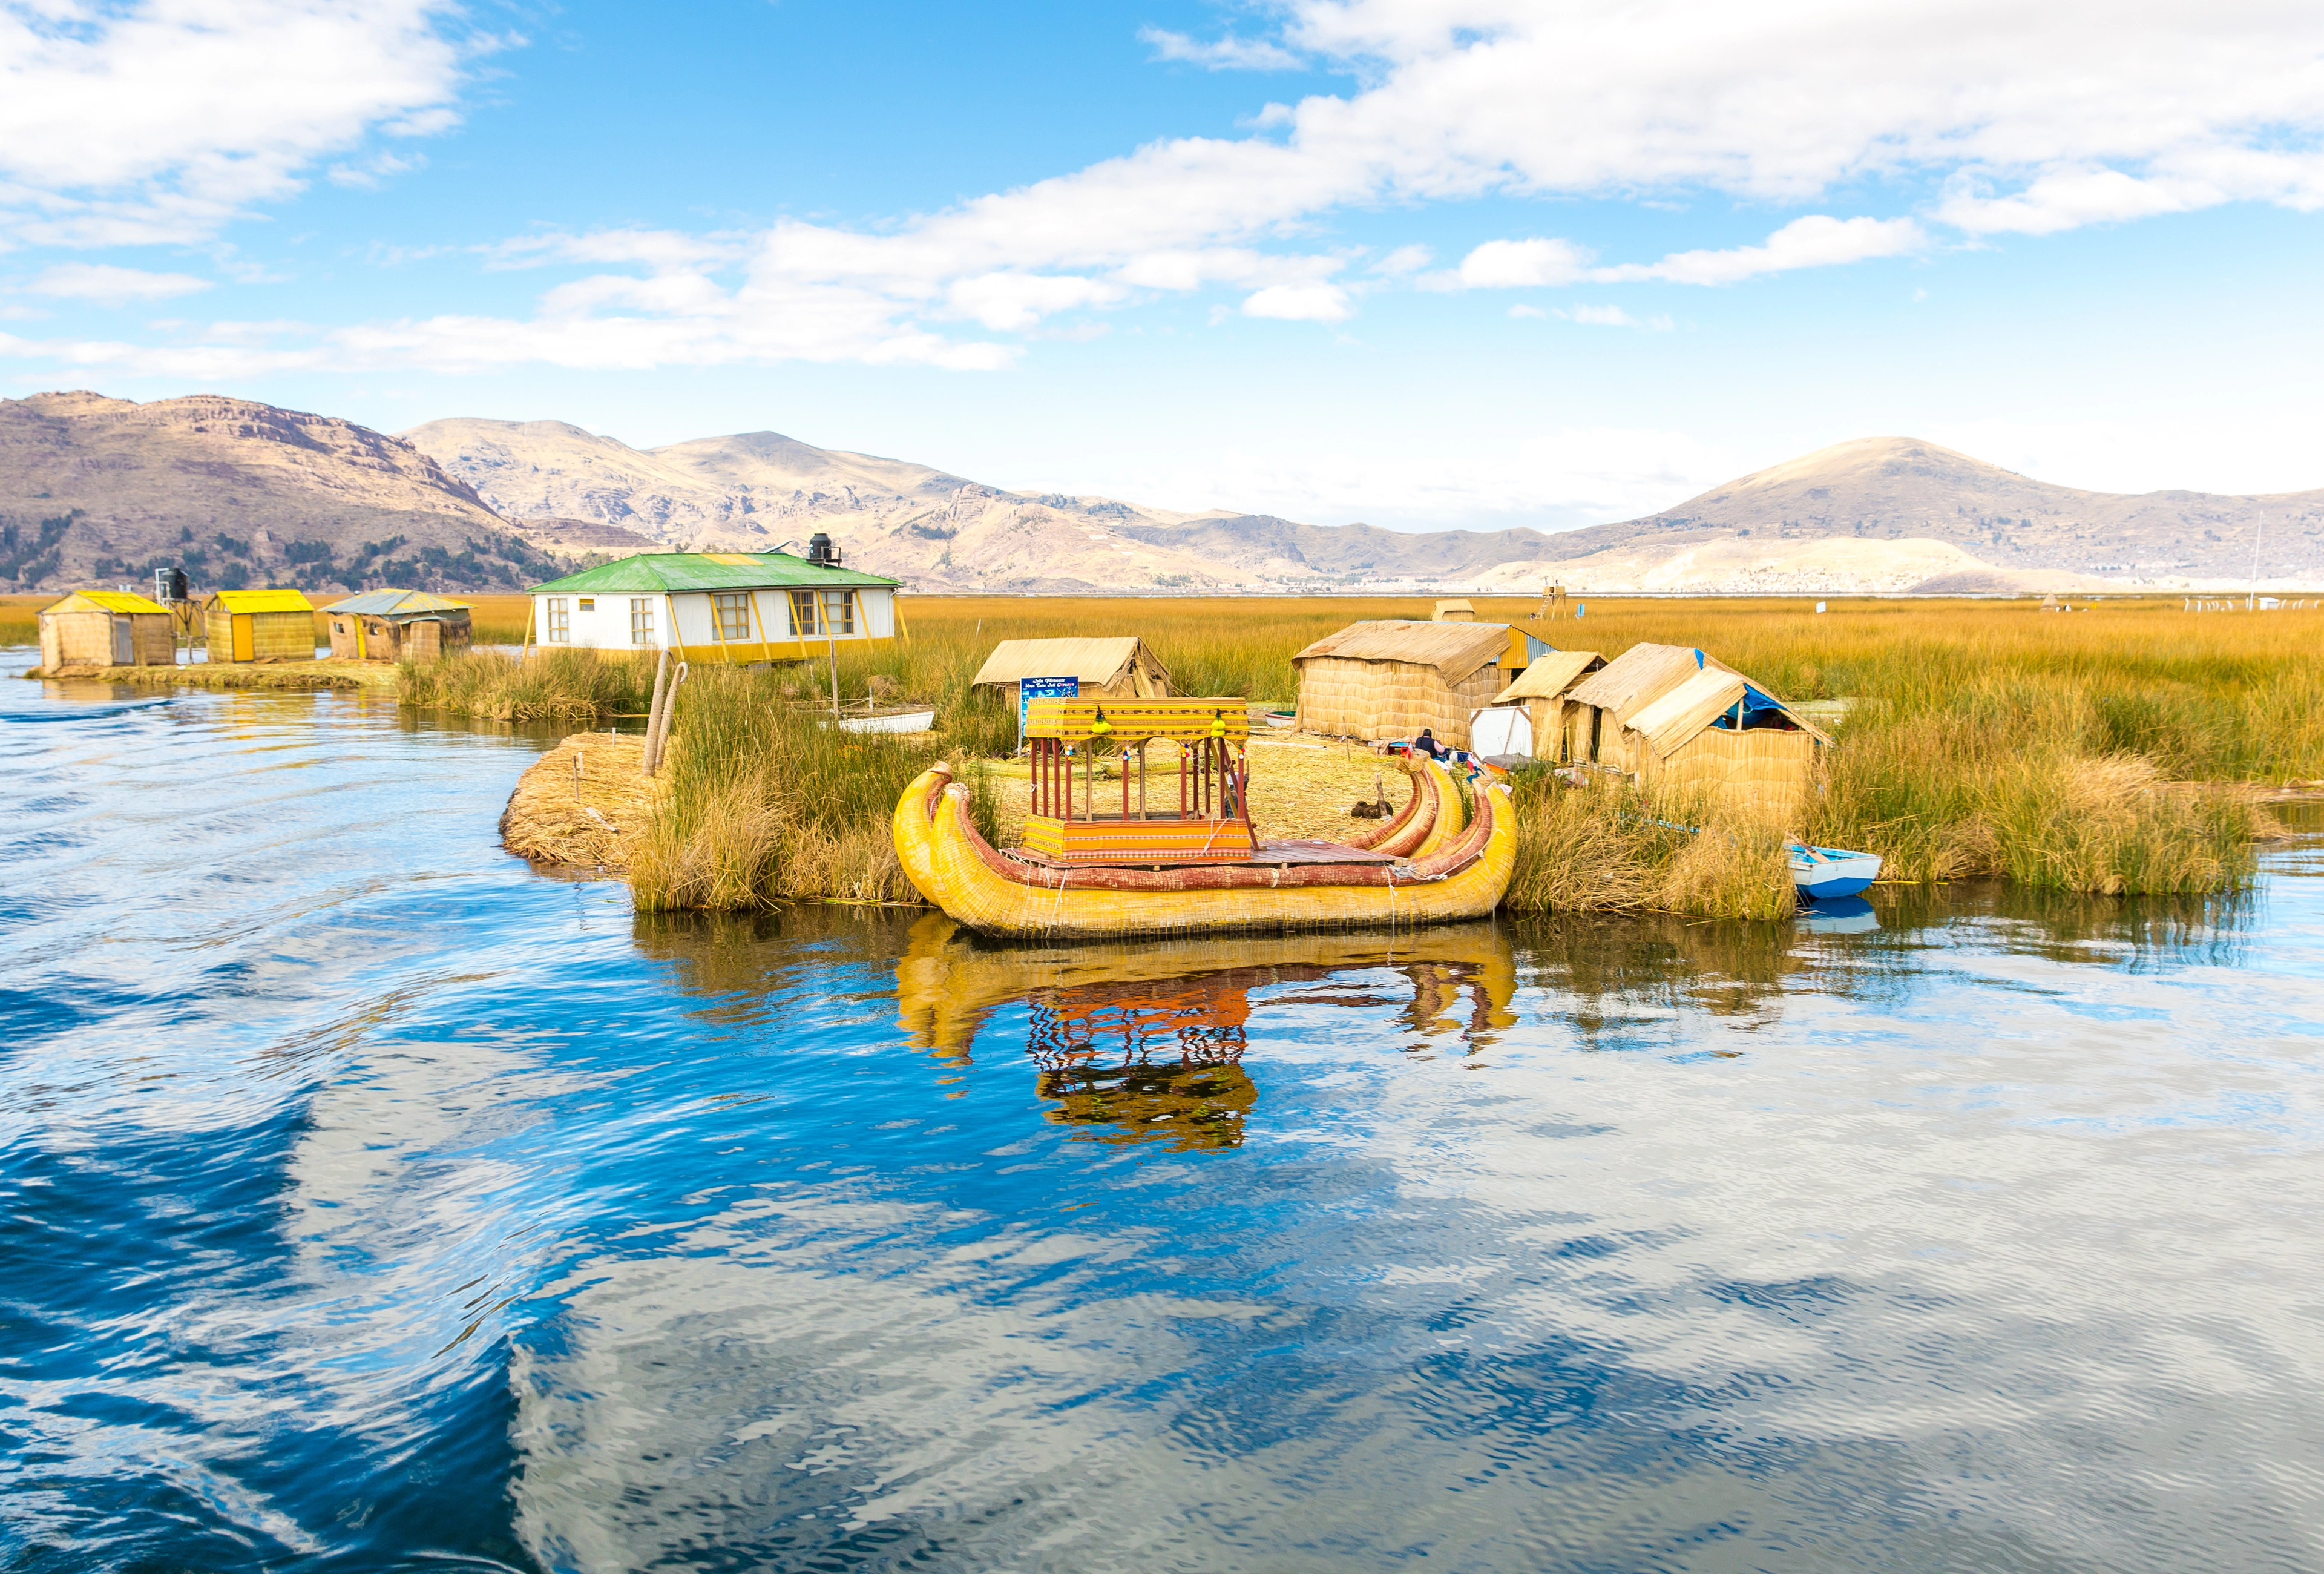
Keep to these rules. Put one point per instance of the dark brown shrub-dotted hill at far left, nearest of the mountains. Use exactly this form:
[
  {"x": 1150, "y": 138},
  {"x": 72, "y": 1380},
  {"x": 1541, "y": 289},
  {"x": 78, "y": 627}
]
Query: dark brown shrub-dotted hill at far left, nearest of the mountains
[{"x": 238, "y": 494}]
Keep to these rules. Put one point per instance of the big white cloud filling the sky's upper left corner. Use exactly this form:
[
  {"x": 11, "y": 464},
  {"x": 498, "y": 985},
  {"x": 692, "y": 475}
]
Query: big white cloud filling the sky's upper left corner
[{"x": 162, "y": 120}]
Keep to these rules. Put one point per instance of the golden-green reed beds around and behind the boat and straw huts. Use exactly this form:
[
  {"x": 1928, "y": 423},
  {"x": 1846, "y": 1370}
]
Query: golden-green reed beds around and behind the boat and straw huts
[{"x": 2118, "y": 752}]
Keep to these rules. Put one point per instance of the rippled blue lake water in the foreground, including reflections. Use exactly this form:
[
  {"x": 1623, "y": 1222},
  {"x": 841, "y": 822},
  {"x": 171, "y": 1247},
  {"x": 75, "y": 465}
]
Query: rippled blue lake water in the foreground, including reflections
[{"x": 373, "y": 1201}]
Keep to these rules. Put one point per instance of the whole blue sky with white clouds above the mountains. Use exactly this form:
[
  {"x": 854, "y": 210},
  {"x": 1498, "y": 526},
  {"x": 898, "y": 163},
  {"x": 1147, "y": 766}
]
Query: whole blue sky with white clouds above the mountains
[{"x": 1465, "y": 264}]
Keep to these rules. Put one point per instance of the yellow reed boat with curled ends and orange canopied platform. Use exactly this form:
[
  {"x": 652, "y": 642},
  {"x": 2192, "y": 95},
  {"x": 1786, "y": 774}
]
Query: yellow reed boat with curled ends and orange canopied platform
[{"x": 1198, "y": 868}]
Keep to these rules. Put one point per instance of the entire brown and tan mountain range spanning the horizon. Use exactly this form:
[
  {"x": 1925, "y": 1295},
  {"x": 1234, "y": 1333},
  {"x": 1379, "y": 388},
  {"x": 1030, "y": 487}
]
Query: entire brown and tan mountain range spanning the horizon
[{"x": 96, "y": 489}]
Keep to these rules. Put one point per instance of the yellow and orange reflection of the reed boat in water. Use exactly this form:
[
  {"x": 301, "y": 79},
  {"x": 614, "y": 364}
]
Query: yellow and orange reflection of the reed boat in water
[{"x": 1145, "y": 1040}]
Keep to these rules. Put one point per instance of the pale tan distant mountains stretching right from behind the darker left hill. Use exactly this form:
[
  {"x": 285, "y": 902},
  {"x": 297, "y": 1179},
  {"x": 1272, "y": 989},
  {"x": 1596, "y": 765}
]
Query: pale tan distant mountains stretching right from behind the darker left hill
[{"x": 1872, "y": 515}]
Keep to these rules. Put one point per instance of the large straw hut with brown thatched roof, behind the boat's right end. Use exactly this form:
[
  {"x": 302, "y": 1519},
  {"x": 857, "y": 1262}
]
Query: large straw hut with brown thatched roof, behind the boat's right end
[{"x": 1398, "y": 678}]
